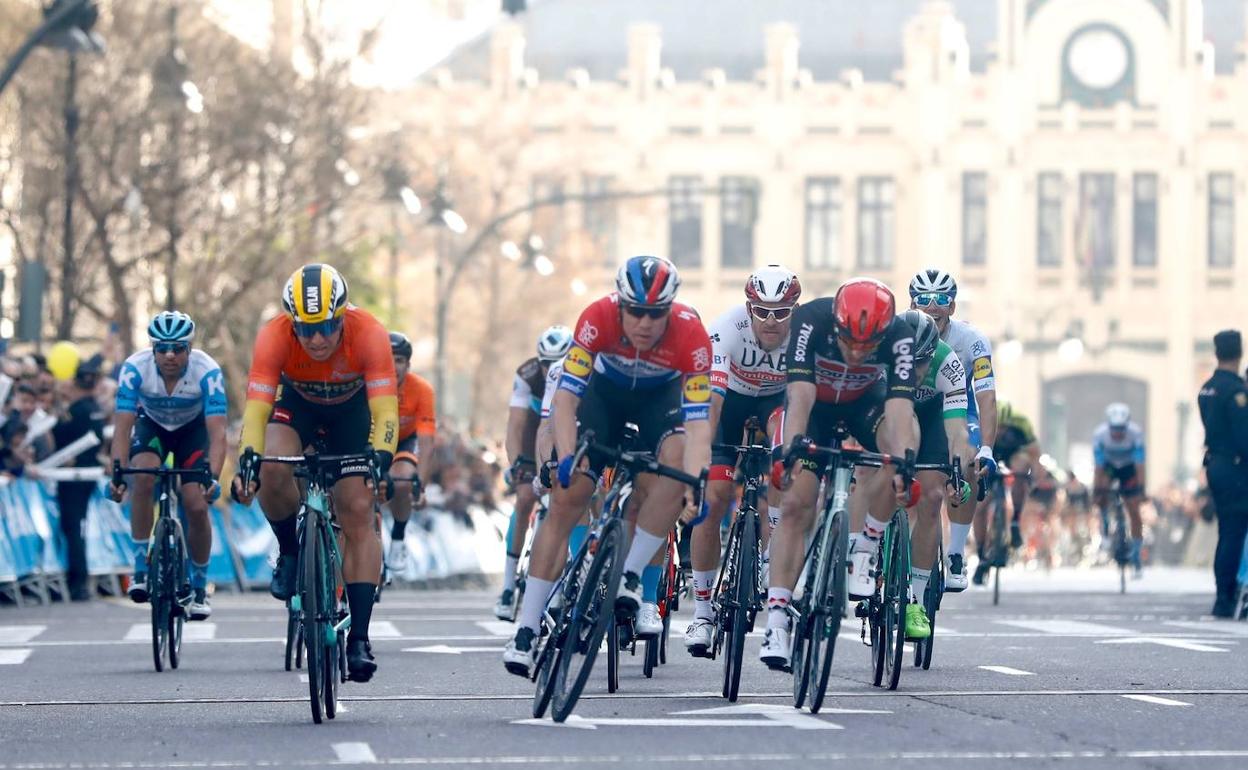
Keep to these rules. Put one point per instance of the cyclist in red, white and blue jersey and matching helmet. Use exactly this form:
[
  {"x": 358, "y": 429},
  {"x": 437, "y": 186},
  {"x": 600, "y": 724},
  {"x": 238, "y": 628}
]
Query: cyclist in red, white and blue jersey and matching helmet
[{"x": 638, "y": 356}]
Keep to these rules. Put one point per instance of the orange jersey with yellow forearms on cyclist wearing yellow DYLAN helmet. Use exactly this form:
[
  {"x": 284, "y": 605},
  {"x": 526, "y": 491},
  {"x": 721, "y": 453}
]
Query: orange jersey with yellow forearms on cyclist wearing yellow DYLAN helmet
[{"x": 361, "y": 363}]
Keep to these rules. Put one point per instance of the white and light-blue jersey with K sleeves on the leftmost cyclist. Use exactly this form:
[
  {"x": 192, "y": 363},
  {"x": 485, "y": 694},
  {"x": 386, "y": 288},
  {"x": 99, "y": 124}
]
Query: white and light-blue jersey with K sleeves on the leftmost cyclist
[{"x": 200, "y": 391}]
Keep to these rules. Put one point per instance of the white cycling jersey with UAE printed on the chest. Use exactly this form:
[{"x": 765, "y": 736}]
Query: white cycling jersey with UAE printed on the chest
[{"x": 741, "y": 365}]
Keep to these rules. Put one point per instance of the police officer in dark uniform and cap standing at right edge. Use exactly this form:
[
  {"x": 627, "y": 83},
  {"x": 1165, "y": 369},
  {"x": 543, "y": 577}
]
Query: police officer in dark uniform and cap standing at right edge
[{"x": 1225, "y": 412}]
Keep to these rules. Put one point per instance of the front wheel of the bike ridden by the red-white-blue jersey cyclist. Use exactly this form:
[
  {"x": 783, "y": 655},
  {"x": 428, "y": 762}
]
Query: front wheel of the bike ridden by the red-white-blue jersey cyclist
[{"x": 595, "y": 610}]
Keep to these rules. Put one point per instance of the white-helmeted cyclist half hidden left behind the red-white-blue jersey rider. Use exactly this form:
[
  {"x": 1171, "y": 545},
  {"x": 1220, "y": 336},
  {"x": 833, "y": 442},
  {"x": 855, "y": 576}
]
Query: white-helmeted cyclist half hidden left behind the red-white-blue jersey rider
[{"x": 525, "y": 414}]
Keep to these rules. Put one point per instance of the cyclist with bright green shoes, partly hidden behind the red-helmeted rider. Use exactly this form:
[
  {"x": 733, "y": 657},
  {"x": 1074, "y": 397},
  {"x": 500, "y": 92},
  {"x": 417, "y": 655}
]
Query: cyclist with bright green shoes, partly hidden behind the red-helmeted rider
[{"x": 940, "y": 405}]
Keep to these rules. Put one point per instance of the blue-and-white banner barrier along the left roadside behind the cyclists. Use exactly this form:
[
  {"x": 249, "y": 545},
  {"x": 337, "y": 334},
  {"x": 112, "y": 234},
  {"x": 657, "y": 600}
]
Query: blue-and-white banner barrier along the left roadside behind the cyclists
[{"x": 441, "y": 545}]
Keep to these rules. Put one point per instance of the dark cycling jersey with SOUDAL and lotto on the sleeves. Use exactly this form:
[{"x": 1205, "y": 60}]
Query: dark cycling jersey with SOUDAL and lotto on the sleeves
[{"x": 814, "y": 356}]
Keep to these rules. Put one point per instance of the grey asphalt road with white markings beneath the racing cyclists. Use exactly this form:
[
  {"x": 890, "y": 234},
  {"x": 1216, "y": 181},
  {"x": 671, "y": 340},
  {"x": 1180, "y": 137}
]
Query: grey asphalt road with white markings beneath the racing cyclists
[{"x": 1058, "y": 676}]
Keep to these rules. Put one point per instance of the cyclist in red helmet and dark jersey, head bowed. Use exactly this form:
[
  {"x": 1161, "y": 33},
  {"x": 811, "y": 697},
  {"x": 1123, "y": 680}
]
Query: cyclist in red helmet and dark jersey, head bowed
[{"x": 851, "y": 360}]
